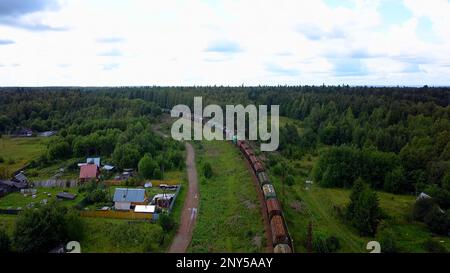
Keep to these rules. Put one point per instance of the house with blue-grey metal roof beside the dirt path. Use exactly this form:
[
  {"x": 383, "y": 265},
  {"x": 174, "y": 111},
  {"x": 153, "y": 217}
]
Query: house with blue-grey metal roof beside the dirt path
[{"x": 126, "y": 199}]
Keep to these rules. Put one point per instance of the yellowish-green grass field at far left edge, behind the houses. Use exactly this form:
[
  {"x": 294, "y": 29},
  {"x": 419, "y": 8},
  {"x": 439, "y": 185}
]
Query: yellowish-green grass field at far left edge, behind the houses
[{"x": 17, "y": 152}]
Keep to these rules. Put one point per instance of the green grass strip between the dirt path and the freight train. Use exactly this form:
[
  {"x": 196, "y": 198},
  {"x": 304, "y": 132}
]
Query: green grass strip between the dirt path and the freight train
[{"x": 229, "y": 217}]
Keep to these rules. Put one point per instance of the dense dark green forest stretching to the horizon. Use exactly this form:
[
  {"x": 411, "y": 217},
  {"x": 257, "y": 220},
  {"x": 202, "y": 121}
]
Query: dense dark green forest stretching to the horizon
[{"x": 392, "y": 139}]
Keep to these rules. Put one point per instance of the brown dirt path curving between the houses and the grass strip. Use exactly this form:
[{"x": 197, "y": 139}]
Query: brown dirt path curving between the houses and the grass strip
[{"x": 190, "y": 208}]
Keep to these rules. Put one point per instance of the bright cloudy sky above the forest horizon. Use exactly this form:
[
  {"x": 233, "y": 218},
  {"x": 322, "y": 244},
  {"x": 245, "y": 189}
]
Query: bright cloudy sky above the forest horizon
[{"x": 142, "y": 42}]
